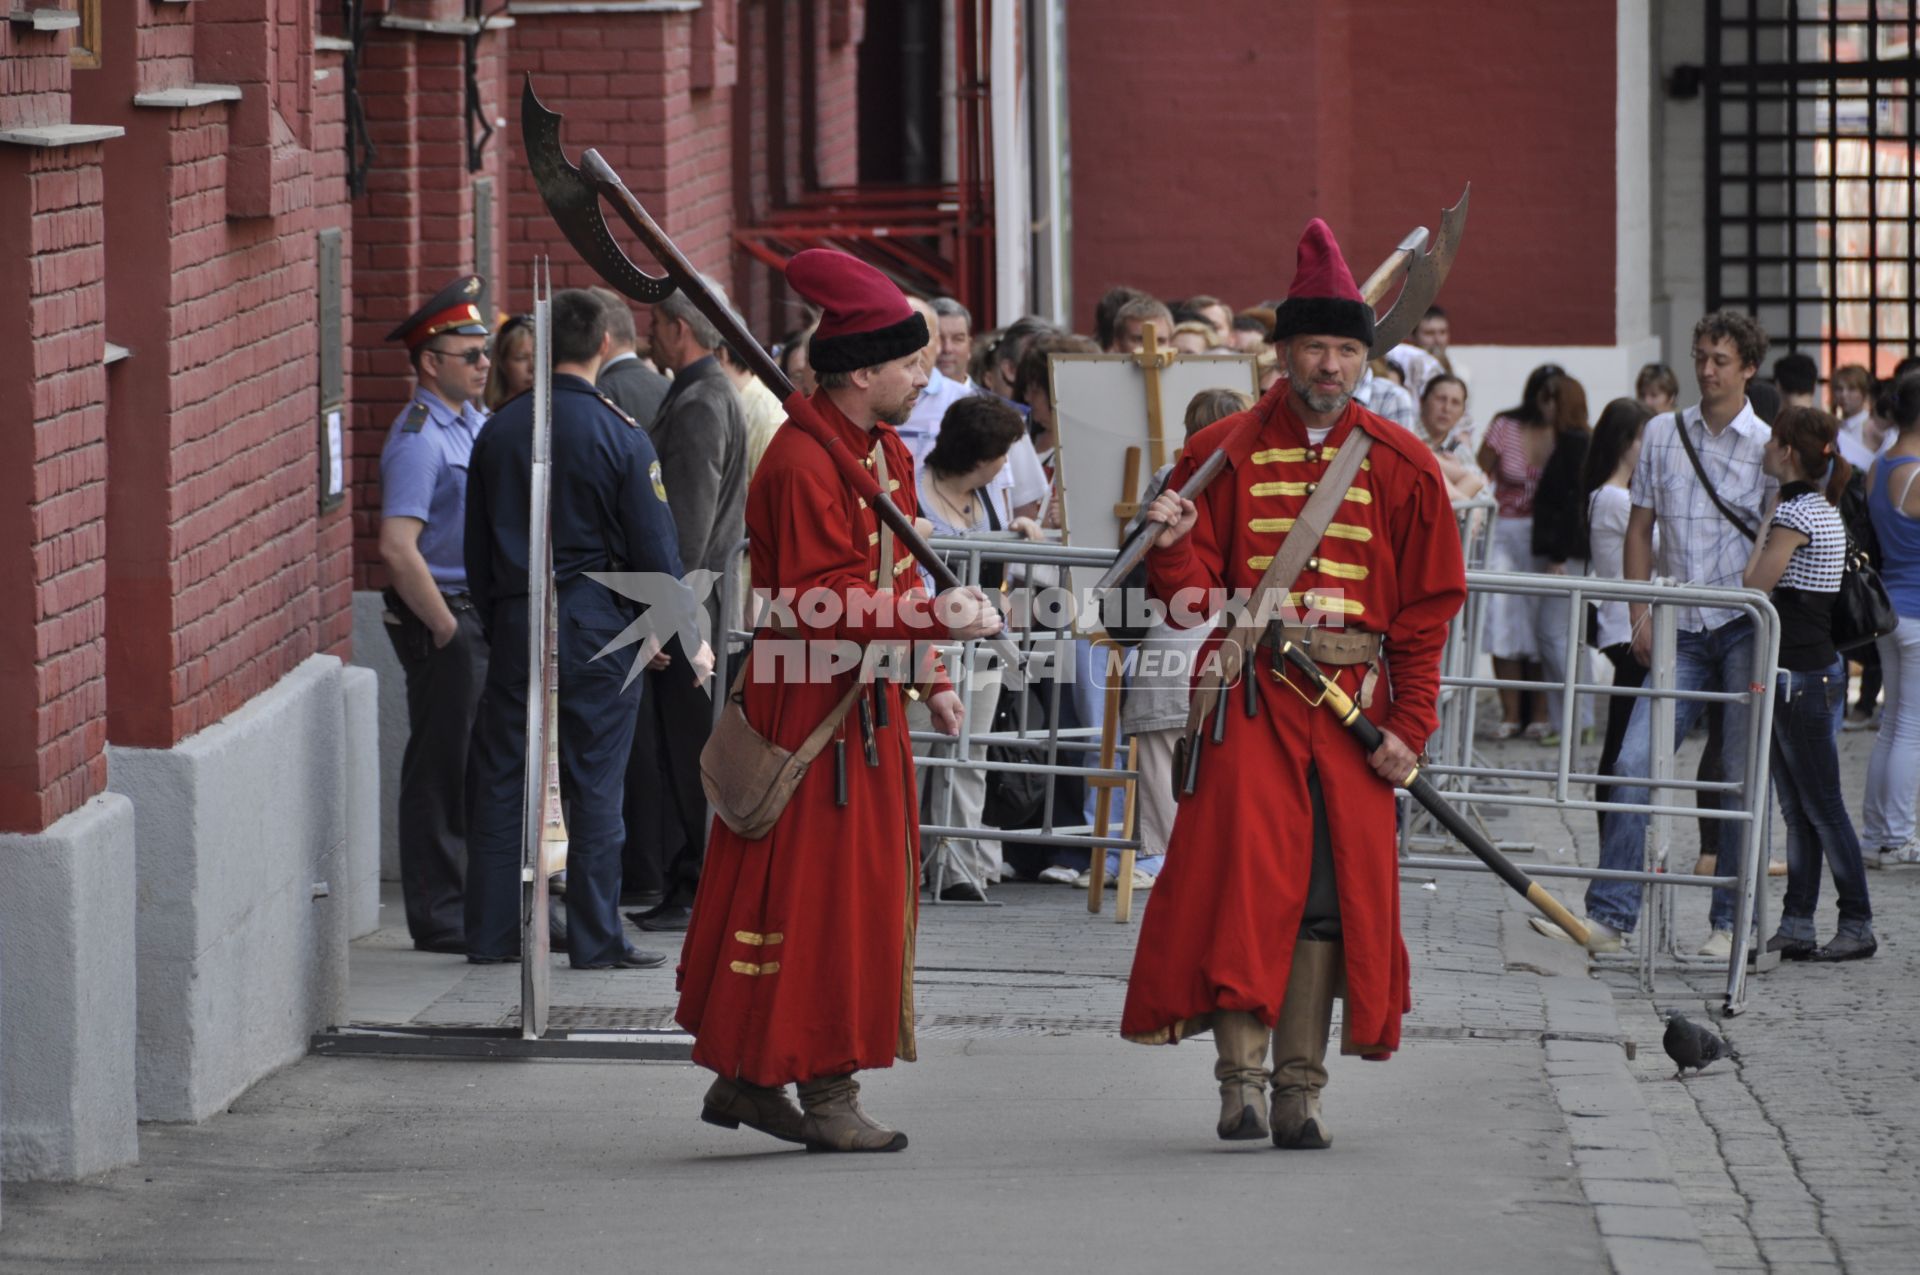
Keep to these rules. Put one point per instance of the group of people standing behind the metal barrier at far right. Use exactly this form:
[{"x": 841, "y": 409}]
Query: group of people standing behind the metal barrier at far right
[{"x": 1756, "y": 485}]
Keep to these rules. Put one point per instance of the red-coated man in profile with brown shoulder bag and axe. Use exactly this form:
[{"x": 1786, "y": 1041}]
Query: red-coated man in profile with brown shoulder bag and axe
[{"x": 800, "y": 959}]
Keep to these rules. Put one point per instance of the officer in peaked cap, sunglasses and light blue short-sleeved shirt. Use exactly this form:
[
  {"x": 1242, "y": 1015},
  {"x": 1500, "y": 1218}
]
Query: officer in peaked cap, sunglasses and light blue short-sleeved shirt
[{"x": 429, "y": 613}]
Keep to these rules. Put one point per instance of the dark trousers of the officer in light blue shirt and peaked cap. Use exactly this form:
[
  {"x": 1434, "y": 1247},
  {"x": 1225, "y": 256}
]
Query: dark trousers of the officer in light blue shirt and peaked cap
[{"x": 443, "y": 698}]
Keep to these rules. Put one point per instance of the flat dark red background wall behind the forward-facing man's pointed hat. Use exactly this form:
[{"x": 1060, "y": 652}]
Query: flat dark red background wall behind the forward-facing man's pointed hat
[{"x": 1201, "y": 153}]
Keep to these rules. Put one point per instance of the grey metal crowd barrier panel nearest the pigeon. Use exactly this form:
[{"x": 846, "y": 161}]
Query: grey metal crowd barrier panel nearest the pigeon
[{"x": 1746, "y": 802}]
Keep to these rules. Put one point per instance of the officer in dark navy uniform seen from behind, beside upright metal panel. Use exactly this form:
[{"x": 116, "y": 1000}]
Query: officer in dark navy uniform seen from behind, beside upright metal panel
[{"x": 610, "y": 514}]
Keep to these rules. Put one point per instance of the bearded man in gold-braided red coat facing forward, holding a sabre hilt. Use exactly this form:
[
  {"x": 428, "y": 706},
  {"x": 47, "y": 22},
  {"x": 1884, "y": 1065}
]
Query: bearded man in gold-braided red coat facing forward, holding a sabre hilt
[{"x": 1282, "y": 884}]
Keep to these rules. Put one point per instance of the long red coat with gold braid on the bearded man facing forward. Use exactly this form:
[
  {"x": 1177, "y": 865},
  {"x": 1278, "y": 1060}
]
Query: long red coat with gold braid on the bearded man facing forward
[{"x": 1226, "y": 913}]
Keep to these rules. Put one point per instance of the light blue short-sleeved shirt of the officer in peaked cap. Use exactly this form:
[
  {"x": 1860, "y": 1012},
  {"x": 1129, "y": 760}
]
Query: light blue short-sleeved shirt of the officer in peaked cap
[{"x": 423, "y": 475}]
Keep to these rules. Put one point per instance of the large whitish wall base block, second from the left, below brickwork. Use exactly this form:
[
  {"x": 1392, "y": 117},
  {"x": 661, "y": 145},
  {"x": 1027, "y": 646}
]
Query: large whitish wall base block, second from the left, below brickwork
[{"x": 241, "y": 953}]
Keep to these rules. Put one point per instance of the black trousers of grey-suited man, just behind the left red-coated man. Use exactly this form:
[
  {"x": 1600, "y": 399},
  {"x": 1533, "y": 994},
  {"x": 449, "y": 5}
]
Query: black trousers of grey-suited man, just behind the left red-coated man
[{"x": 667, "y": 813}]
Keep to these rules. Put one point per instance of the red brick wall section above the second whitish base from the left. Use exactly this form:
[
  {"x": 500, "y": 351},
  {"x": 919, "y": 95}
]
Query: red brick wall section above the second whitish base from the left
[{"x": 222, "y": 571}]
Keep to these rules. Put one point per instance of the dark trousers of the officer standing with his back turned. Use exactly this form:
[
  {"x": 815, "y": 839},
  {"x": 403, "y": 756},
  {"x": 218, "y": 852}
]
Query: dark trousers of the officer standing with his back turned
[{"x": 596, "y": 733}]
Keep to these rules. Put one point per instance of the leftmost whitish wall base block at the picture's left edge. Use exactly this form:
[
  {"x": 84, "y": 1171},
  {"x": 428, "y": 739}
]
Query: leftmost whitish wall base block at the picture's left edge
[{"x": 68, "y": 996}]
